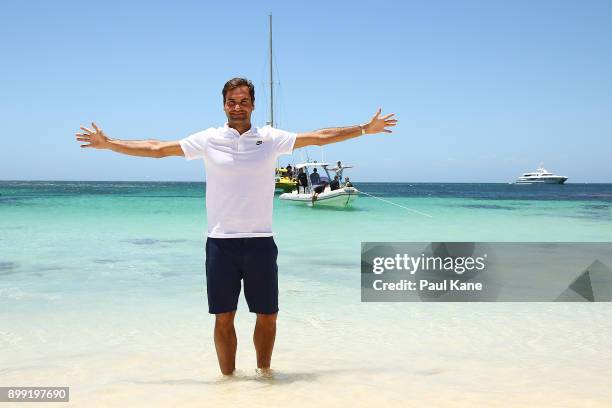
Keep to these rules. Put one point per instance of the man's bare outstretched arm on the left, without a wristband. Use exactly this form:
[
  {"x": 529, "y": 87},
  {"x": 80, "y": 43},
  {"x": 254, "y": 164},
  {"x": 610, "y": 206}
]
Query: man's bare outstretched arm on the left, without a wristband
[{"x": 143, "y": 148}]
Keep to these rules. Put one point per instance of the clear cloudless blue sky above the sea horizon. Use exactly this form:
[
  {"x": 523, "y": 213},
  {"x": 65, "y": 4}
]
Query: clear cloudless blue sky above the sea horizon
[{"x": 484, "y": 90}]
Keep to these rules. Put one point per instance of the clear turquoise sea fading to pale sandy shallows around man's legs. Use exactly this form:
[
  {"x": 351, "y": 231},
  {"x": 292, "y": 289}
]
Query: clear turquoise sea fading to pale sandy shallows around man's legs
[{"x": 102, "y": 289}]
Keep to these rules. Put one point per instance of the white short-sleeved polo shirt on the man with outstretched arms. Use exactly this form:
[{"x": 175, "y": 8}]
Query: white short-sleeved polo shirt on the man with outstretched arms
[{"x": 239, "y": 177}]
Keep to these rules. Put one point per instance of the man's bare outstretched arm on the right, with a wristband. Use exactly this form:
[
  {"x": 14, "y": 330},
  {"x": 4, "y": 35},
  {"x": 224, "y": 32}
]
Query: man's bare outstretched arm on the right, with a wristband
[{"x": 377, "y": 124}]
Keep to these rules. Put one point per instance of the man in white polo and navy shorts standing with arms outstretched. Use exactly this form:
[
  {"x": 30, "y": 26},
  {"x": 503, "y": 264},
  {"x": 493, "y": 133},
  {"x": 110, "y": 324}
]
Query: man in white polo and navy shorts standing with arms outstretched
[{"x": 239, "y": 247}]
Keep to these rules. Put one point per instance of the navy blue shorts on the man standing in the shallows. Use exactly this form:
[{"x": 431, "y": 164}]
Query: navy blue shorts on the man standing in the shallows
[{"x": 232, "y": 260}]
